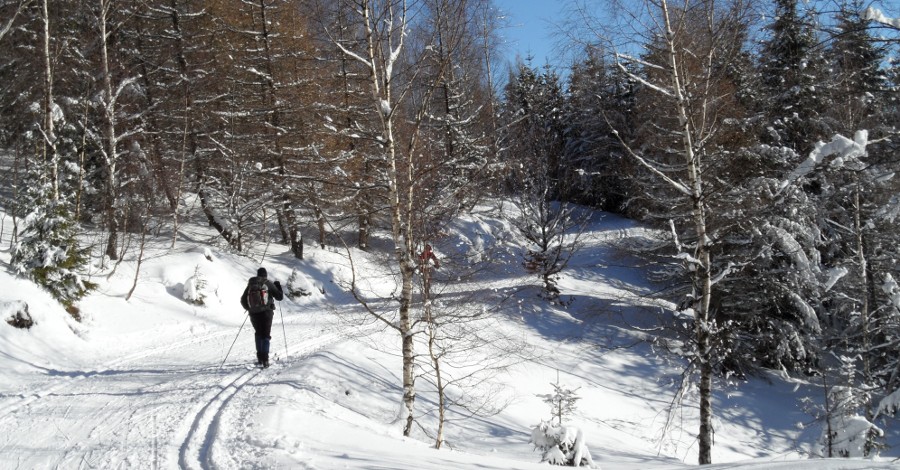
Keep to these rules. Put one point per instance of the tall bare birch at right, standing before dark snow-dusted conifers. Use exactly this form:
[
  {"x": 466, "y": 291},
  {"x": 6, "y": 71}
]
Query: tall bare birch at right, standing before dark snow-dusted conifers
[{"x": 689, "y": 49}]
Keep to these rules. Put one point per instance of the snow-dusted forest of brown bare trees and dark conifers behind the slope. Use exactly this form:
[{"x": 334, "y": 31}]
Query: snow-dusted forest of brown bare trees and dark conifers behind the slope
[{"x": 762, "y": 137}]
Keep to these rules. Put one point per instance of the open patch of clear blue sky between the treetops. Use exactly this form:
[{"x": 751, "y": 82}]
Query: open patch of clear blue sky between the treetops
[{"x": 531, "y": 29}]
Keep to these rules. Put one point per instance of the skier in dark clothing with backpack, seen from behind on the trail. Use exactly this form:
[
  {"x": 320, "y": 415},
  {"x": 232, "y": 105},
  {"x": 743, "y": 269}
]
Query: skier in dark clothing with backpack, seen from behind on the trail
[{"x": 258, "y": 300}]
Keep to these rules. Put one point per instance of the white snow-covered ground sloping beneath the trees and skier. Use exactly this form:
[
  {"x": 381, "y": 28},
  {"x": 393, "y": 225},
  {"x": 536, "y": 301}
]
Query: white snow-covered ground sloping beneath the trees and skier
[{"x": 142, "y": 384}]
